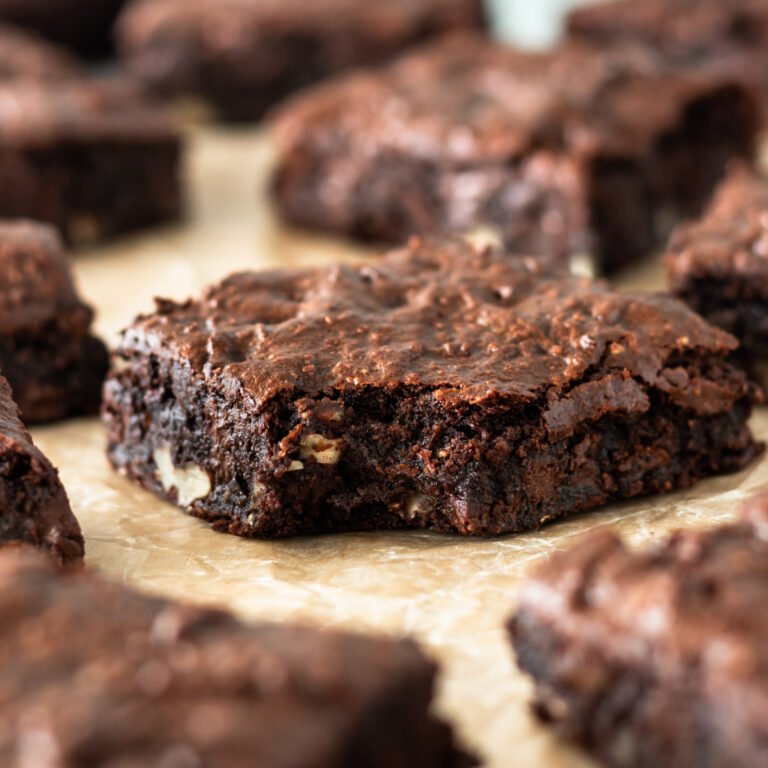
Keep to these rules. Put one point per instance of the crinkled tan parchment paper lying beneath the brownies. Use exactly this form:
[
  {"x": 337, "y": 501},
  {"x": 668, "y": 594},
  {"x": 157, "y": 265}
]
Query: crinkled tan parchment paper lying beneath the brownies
[{"x": 453, "y": 595}]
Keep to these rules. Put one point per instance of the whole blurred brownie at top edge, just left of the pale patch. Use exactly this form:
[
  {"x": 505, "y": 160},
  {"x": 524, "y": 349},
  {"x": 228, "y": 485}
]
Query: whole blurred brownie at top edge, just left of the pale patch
[{"x": 244, "y": 56}]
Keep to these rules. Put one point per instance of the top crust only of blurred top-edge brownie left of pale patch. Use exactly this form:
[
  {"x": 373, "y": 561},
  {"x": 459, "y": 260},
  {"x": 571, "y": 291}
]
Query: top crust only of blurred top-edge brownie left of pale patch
[{"x": 230, "y": 24}]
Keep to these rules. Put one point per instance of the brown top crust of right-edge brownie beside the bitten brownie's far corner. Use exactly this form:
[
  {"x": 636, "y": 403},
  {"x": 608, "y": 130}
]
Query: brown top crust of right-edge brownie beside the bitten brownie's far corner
[{"x": 730, "y": 242}]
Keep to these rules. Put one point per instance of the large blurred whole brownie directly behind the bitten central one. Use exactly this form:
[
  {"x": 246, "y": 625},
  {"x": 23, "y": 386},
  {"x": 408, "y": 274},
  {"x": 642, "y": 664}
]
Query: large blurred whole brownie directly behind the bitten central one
[{"x": 558, "y": 152}]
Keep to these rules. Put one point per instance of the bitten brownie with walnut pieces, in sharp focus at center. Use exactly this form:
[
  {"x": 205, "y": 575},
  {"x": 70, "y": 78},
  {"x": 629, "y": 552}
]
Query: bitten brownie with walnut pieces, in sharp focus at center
[{"x": 448, "y": 387}]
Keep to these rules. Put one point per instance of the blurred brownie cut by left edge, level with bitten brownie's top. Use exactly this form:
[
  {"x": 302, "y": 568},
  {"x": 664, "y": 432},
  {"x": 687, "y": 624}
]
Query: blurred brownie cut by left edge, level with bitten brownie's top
[{"x": 47, "y": 352}]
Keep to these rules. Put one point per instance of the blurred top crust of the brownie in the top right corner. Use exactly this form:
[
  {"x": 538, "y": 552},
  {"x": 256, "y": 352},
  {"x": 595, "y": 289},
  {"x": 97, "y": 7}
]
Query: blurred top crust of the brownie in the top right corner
[{"x": 684, "y": 26}]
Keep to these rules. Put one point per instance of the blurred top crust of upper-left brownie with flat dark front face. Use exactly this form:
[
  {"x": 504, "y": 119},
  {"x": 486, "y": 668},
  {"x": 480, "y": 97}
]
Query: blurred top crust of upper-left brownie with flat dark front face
[{"x": 36, "y": 113}]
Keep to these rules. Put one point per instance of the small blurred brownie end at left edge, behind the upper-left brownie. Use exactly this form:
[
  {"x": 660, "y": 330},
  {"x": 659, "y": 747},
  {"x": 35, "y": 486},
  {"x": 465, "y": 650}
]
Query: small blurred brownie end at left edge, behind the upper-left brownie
[{"x": 29, "y": 57}]
